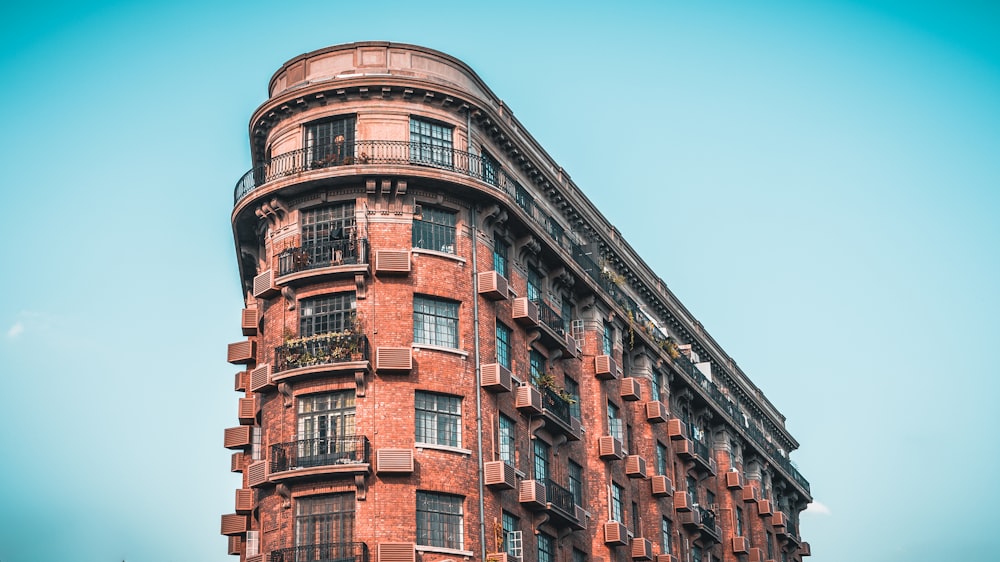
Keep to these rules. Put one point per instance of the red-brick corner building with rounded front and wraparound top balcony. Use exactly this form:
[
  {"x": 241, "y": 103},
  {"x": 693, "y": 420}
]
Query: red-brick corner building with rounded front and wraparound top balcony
[{"x": 450, "y": 354}]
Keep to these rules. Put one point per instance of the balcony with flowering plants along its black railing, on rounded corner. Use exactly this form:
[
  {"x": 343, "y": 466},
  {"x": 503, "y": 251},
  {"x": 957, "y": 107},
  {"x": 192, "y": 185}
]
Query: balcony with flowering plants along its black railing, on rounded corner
[{"x": 321, "y": 353}]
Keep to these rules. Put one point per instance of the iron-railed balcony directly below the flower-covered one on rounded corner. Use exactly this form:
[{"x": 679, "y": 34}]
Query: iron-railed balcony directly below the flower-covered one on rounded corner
[{"x": 319, "y": 456}]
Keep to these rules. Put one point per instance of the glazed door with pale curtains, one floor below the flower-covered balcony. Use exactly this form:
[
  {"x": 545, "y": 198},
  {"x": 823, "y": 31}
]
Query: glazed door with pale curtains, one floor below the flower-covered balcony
[{"x": 326, "y": 429}]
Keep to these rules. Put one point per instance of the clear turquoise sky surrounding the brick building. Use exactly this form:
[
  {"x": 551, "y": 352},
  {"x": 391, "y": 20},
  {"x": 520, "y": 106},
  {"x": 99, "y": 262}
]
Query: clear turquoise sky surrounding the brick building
[{"x": 818, "y": 182}]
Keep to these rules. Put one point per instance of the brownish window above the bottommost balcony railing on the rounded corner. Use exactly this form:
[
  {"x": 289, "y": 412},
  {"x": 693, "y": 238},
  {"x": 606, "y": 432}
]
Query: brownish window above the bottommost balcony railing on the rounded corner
[{"x": 324, "y": 523}]
